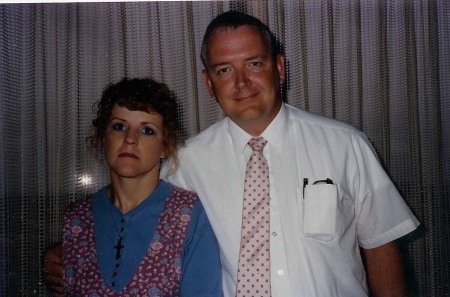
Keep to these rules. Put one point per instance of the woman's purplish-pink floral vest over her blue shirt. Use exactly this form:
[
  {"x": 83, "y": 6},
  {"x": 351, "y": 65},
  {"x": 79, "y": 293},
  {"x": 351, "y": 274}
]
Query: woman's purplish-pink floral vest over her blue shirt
[{"x": 159, "y": 271}]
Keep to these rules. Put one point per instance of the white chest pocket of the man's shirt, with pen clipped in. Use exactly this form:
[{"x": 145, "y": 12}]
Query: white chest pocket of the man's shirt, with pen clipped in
[{"x": 320, "y": 207}]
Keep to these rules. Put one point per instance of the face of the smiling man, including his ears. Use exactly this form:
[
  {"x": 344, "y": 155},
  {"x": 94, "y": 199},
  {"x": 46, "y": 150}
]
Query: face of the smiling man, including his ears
[{"x": 244, "y": 78}]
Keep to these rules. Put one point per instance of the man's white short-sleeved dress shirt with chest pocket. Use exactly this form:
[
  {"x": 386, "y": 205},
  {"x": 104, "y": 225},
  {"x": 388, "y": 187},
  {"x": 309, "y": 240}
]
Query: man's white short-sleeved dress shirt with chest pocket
[{"x": 316, "y": 229}]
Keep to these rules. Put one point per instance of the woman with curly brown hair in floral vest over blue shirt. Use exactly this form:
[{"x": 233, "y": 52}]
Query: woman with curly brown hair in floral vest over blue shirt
[{"x": 139, "y": 236}]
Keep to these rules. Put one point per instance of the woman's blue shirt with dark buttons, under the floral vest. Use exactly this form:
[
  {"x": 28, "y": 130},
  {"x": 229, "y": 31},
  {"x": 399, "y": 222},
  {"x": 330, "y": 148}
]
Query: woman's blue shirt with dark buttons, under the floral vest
[{"x": 201, "y": 270}]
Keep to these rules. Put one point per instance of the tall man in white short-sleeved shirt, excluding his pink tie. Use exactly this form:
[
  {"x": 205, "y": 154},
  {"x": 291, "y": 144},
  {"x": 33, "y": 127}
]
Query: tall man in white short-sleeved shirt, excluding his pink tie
[{"x": 329, "y": 196}]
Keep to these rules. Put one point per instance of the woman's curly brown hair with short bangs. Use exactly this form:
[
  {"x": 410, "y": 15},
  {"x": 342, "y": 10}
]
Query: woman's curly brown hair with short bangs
[{"x": 143, "y": 95}]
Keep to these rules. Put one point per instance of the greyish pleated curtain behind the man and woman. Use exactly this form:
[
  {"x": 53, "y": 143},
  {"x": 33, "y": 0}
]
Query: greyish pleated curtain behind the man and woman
[{"x": 383, "y": 66}]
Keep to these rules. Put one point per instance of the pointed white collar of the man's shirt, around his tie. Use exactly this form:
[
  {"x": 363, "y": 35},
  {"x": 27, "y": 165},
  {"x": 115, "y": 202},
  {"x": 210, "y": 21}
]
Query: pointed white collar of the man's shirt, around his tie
[{"x": 275, "y": 133}]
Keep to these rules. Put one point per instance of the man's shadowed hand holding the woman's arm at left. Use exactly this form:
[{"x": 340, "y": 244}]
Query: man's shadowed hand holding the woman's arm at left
[{"x": 52, "y": 270}]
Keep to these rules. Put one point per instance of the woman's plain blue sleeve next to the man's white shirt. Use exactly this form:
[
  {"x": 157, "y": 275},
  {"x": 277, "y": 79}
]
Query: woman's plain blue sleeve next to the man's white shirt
[{"x": 201, "y": 272}]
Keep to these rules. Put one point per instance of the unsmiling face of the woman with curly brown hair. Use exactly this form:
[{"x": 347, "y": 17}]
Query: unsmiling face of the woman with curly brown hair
[{"x": 134, "y": 143}]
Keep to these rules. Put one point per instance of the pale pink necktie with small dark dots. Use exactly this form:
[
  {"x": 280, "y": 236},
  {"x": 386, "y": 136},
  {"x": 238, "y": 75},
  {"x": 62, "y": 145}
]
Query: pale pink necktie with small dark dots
[{"x": 254, "y": 259}]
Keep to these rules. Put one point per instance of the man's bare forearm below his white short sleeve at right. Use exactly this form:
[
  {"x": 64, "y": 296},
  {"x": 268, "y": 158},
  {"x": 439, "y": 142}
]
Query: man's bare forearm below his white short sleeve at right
[{"x": 385, "y": 270}]
